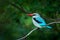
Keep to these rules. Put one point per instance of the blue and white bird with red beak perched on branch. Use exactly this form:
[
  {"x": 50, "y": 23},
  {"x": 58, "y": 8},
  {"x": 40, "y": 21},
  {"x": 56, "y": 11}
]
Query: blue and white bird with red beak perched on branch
[{"x": 38, "y": 21}]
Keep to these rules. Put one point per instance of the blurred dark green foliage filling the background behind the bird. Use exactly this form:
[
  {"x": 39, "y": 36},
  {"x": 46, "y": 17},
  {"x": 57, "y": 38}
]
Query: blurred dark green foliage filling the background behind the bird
[{"x": 14, "y": 23}]
